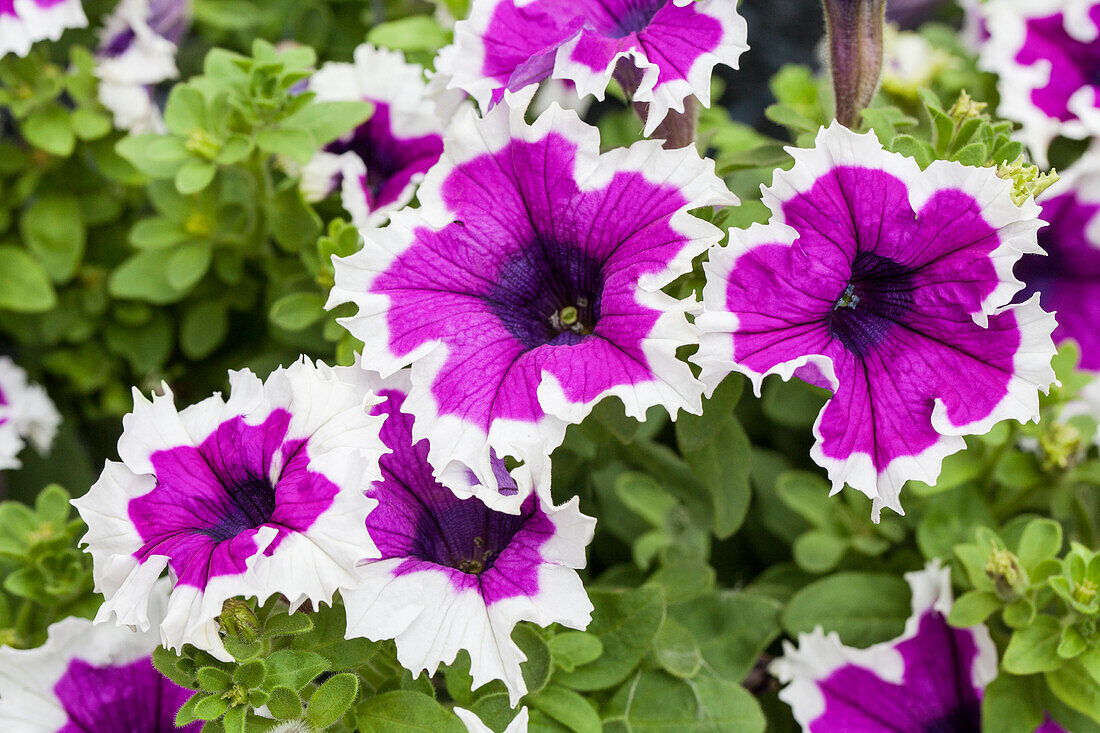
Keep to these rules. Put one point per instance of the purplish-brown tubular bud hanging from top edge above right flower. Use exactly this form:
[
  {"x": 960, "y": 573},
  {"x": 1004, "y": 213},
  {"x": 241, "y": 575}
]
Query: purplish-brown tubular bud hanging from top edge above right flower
[{"x": 855, "y": 42}]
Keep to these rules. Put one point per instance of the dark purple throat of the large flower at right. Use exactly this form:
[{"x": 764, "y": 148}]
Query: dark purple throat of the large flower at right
[{"x": 878, "y": 297}]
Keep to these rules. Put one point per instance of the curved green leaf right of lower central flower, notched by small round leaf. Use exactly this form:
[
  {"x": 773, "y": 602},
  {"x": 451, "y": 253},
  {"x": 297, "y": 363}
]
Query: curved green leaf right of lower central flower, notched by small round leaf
[{"x": 625, "y": 621}]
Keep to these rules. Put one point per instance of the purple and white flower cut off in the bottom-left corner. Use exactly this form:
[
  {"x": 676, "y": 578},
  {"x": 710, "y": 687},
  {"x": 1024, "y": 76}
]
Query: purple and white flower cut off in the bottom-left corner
[{"x": 91, "y": 680}]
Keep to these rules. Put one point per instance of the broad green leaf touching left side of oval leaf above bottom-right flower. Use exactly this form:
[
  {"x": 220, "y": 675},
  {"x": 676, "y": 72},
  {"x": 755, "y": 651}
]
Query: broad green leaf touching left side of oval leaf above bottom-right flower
[{"x": 732, "y": 630}]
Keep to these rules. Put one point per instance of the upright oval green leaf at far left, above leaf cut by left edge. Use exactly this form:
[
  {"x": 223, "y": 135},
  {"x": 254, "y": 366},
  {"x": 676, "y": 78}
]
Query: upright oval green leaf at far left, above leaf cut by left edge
[{"x": 53, "y": 229}]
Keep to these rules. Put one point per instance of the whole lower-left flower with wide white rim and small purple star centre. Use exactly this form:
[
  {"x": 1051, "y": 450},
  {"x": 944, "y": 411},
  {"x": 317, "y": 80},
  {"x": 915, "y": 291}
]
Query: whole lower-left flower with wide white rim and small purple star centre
[{"x": 249, "y": 497}]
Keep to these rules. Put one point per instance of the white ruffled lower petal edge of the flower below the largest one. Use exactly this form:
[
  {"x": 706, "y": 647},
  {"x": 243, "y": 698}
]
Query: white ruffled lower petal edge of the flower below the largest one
[{"x": 431, "y": 621}]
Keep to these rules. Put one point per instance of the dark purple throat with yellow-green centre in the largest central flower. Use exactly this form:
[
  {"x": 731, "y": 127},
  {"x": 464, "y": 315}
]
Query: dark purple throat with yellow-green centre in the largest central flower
[{"x": 548, "y": 293}]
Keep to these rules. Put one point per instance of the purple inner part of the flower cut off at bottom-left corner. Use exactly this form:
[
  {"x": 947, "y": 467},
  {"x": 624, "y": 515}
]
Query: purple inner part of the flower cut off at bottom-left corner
[{"x": 113, "y": 699}]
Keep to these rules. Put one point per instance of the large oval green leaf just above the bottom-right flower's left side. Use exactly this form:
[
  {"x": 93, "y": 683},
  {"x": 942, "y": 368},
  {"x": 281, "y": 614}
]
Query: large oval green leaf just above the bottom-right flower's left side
[{"x": 863, "y": 608}]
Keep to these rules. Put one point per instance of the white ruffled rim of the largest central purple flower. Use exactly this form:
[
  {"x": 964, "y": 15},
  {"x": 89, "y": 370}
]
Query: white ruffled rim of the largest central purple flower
[{"x": 455, "y": 440}]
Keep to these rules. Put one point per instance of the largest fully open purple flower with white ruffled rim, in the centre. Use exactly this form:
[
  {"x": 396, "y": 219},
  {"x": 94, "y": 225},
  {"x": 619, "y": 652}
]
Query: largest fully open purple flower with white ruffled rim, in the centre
[{"x": 527, "y": 286}]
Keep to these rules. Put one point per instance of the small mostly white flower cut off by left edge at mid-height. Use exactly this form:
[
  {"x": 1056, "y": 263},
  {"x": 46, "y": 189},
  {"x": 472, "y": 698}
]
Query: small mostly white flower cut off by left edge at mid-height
[{"x": 27, "y": 413}]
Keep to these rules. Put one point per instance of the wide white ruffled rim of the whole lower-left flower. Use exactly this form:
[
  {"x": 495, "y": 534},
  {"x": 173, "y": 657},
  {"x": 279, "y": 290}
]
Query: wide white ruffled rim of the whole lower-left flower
[{"x": 328, "y": 409}]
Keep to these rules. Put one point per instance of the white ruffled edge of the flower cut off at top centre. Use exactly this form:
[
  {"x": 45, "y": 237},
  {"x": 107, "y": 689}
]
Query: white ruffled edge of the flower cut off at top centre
[{"x": 465, "y": 64}]
